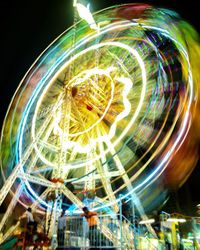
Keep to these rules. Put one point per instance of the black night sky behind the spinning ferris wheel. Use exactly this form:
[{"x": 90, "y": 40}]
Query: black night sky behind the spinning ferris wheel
[{"x": 28, "y": 27}]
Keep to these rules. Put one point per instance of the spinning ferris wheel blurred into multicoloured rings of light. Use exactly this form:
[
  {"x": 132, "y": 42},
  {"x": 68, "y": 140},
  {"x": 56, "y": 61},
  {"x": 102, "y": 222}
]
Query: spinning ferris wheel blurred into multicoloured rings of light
[{"x": 104, "y": 108}]
